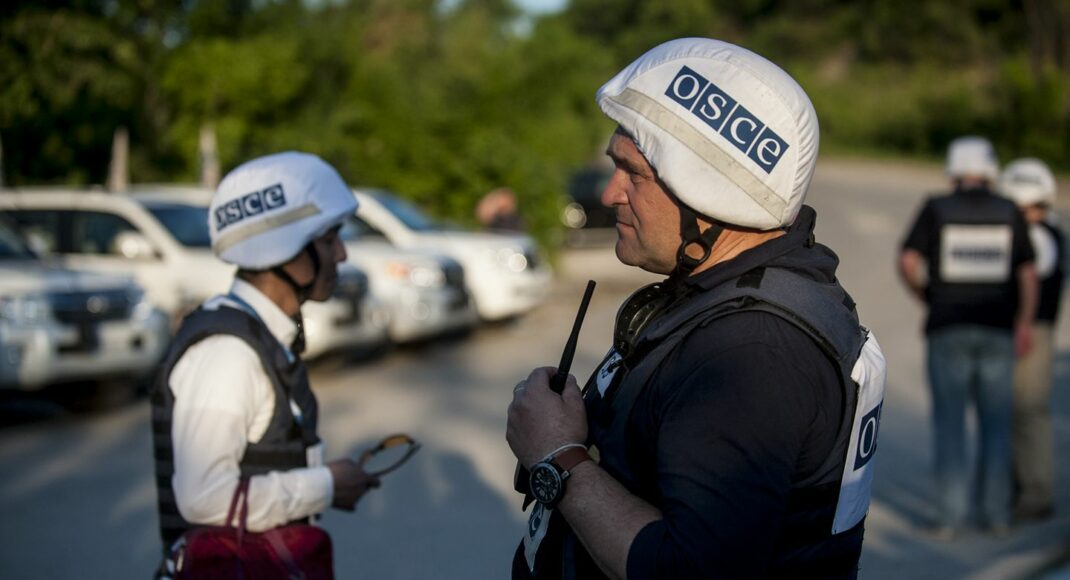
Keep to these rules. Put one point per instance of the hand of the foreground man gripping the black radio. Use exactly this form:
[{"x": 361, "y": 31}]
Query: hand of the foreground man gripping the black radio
[{"x": 541, "y": 421}]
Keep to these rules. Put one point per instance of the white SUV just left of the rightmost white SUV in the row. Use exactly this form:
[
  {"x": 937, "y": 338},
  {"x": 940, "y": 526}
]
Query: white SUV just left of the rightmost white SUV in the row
[{"x": 425, "y": 293}]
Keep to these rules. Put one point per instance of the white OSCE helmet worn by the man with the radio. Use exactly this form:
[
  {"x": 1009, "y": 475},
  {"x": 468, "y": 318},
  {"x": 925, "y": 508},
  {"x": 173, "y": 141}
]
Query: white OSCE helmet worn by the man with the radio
[{"x": 731, "y": 134}]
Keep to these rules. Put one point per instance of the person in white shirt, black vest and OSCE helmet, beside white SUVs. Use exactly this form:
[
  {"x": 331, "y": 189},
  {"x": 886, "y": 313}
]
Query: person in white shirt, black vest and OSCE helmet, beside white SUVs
[{"x": 233, "y": 399}]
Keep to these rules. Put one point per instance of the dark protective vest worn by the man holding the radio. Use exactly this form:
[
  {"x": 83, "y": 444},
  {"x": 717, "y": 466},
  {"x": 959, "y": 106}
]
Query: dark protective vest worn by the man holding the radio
[{"x": 826, "y": 313}]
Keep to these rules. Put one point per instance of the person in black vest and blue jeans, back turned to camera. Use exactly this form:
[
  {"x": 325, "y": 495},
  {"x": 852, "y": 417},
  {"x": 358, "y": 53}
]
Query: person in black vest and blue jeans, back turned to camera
[{"x": 981, "y": 287}]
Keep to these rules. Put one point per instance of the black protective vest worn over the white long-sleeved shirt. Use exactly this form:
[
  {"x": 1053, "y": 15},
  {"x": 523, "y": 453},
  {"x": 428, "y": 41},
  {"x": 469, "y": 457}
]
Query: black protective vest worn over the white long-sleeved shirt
[{"x": 284, "y": 446}]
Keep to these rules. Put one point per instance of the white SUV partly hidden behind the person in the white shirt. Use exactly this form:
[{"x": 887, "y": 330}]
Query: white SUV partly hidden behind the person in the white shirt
[{"x": 160, "y": 237}]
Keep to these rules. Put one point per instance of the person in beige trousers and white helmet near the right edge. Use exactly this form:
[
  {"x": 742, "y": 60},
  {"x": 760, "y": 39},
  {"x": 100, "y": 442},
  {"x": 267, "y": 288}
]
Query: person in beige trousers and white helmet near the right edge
[{"x": 1031, "y": 185}]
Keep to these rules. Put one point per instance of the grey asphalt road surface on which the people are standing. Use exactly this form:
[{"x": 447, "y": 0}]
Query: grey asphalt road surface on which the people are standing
[{"x": 77, "y": 489}]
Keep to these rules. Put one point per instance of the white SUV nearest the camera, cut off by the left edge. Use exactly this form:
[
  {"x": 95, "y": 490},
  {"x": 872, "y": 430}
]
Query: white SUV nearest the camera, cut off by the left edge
[{"x": 59, "y": 326}]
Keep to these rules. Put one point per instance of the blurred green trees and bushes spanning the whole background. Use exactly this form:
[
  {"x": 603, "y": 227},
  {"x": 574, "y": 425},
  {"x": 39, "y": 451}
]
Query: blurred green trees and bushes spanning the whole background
[{"x": 444, "y": 102}]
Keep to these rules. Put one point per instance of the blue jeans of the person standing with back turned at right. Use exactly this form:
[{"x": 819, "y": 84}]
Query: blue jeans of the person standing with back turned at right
[{"x": 973, "y": 363}]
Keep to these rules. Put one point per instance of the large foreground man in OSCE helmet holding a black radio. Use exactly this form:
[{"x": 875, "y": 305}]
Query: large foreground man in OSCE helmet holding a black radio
[{"x": 729, "y": 432}]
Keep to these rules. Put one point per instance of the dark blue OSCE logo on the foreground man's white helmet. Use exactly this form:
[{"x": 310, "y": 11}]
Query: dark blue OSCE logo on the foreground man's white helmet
[{"x": 728, "y": 118}]
